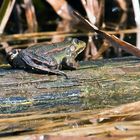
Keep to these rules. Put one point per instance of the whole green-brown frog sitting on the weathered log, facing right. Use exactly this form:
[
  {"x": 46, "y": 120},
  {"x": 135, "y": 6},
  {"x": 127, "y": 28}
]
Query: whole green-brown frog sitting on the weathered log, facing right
[{"x": 49, "y": 58}]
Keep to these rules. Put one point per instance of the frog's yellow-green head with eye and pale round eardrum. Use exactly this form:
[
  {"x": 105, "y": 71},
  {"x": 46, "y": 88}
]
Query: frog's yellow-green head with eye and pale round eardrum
[{"x": 76, "y": 46}]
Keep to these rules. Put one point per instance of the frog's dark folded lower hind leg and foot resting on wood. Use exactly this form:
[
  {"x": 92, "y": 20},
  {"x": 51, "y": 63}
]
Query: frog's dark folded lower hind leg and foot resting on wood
[{"x": 41, "y": 68}]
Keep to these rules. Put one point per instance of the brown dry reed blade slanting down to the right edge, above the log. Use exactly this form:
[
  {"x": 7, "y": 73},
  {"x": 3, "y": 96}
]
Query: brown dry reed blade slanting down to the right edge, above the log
[{"x": 111, "y": 38}]
